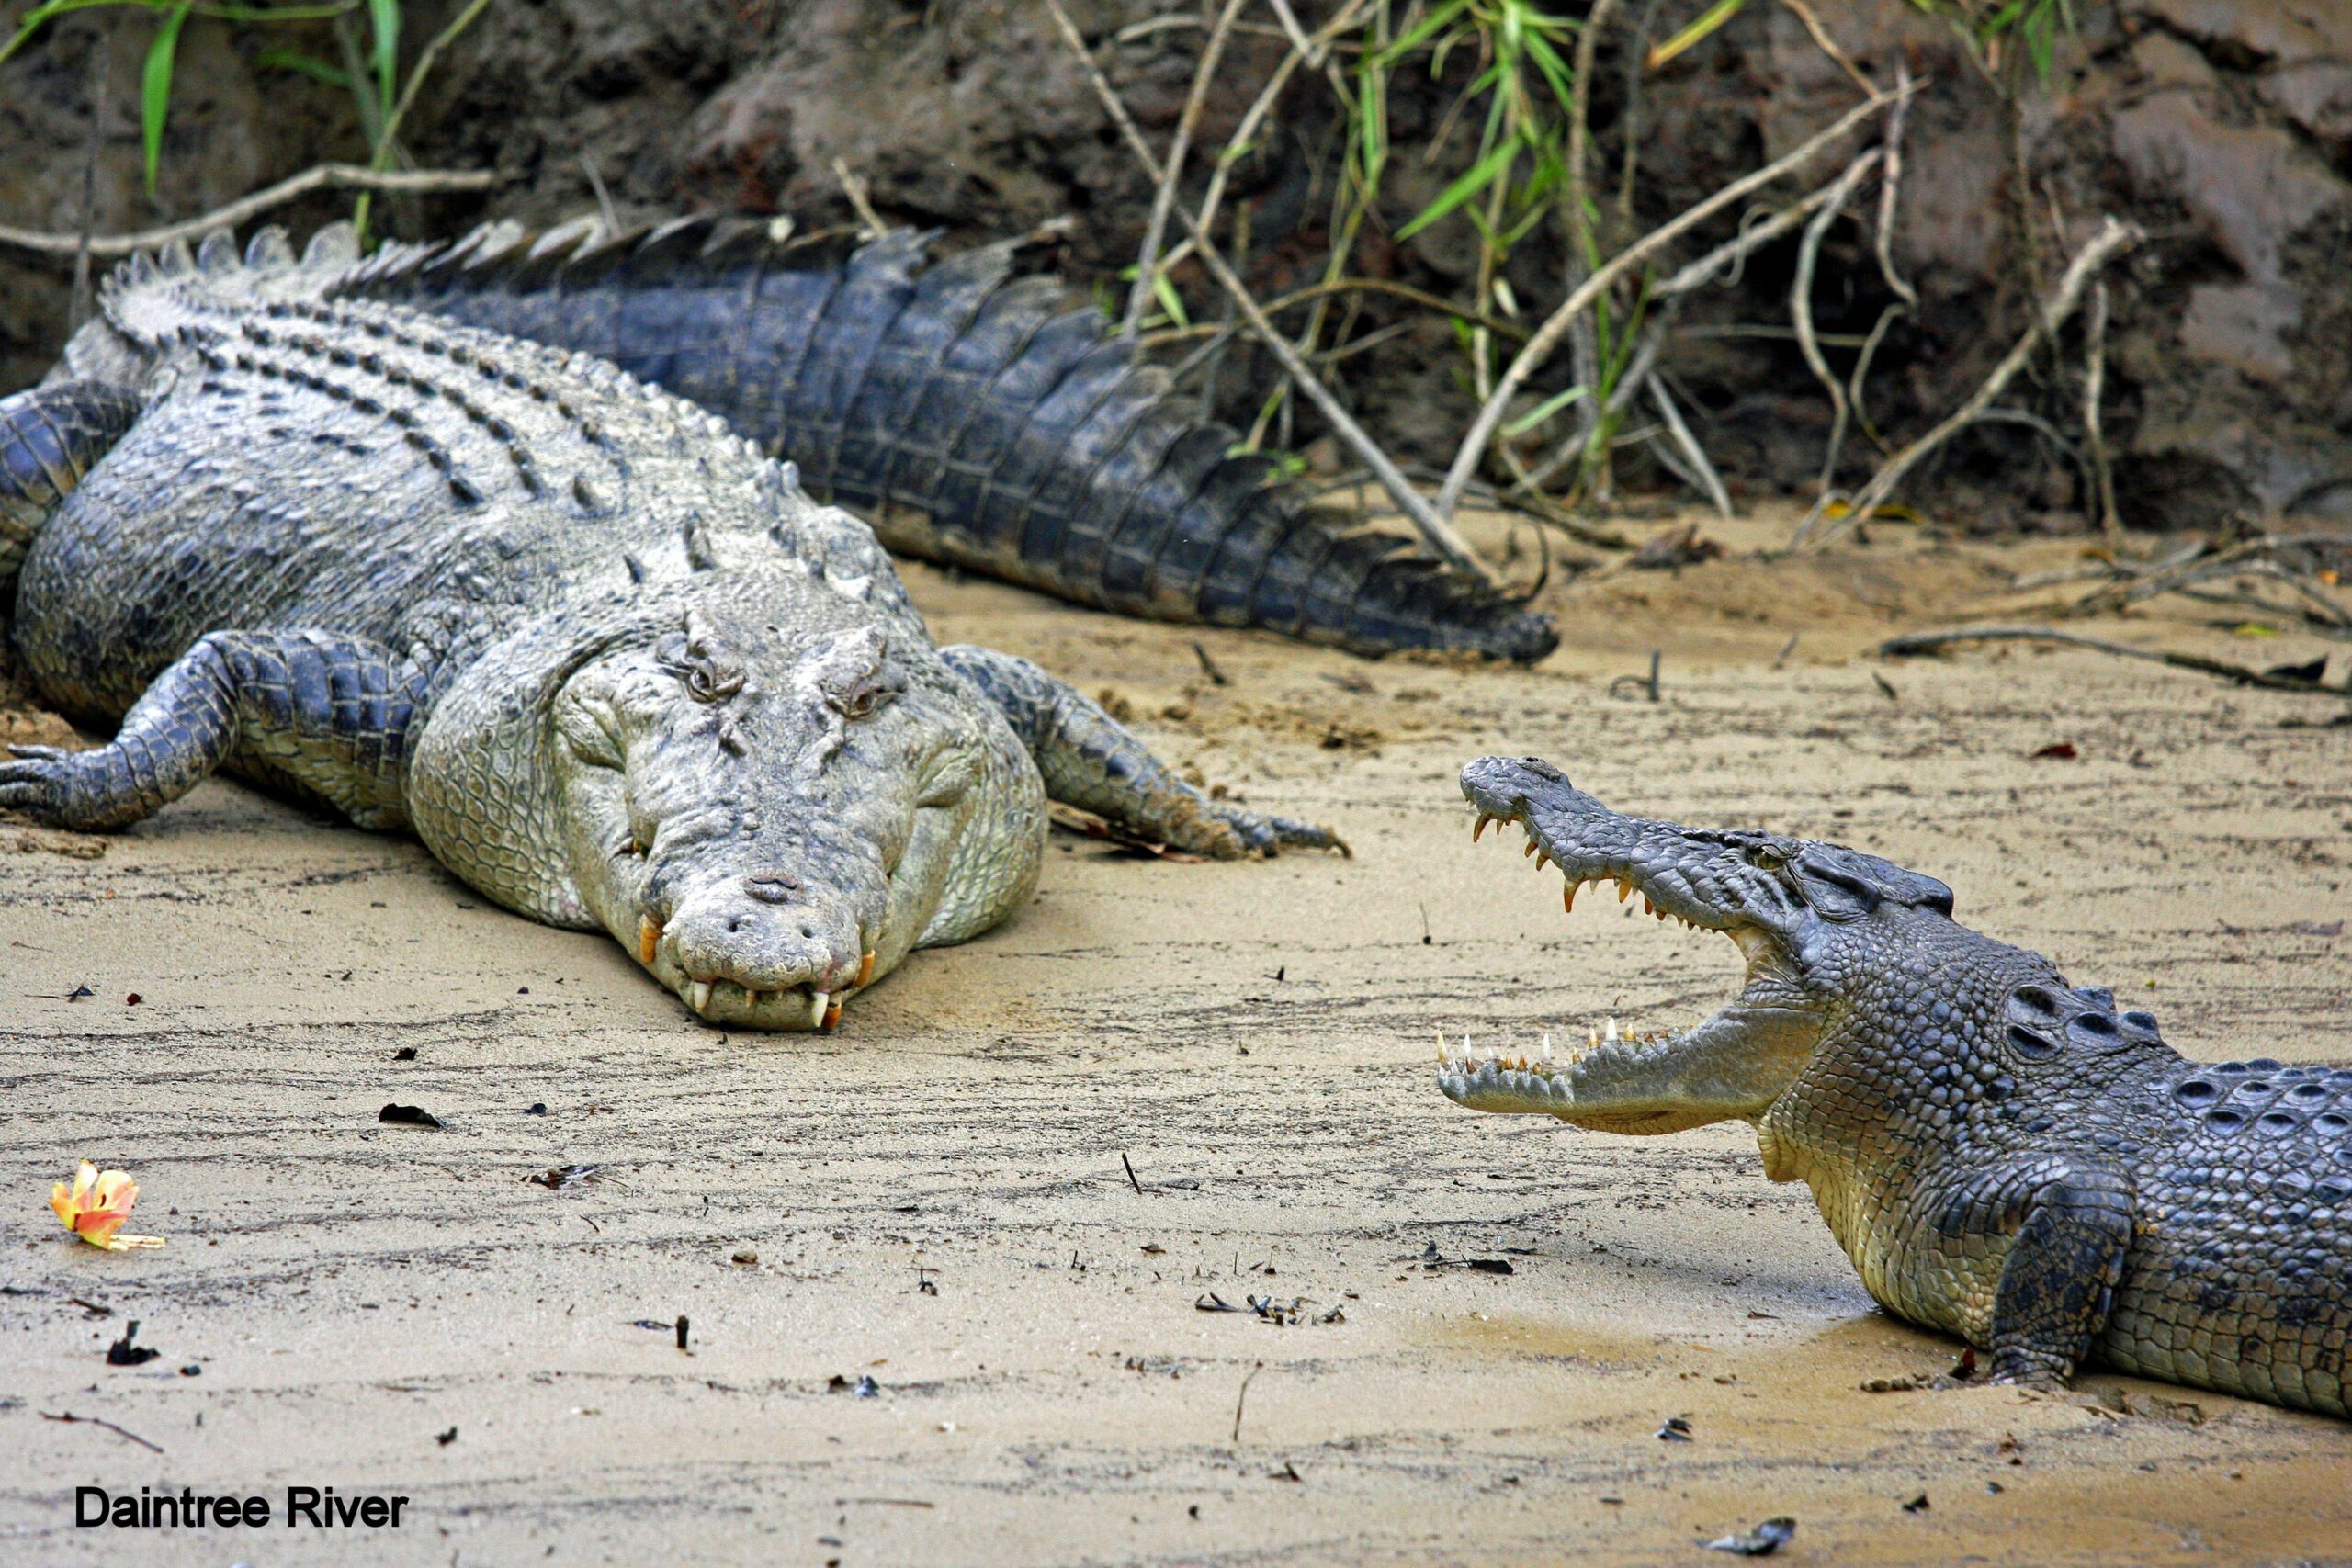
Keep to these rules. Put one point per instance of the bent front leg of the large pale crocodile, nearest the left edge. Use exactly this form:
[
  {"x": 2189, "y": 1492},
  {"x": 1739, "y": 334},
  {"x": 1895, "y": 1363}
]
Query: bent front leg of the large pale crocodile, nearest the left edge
[{"x": 333, "y": 713}]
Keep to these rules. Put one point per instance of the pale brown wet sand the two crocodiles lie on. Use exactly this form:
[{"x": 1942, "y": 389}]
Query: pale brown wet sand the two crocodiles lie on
[{"x": 937, "y": 1198}]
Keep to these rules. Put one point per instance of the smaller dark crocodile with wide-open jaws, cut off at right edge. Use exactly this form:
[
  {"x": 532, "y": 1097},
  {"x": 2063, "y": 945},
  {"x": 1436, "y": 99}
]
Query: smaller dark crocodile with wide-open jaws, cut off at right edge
[{"x": 2003, "y": 1155}]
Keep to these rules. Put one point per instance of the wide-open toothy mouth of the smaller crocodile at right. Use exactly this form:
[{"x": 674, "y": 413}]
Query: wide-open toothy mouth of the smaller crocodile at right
[{"x": 1610, "y": 1076}]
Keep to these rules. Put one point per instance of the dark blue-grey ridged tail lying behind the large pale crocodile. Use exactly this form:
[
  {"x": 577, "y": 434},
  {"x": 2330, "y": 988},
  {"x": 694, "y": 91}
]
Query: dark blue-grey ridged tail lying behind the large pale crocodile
[{"x": 975, "y": 415}]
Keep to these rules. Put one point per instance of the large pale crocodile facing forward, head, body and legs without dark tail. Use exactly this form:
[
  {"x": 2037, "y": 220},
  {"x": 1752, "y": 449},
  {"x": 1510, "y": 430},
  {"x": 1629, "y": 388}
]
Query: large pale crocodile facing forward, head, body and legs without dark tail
[{"x": 599, "y": 652}]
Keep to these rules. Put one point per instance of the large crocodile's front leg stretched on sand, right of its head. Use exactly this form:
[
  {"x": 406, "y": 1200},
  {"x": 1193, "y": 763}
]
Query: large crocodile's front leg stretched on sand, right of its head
[{"x": 1097, "y": 765}]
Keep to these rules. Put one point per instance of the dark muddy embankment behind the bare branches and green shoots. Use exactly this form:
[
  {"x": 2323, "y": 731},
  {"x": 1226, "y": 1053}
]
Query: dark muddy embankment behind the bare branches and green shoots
[{"x": 2221, "y": 126}]
